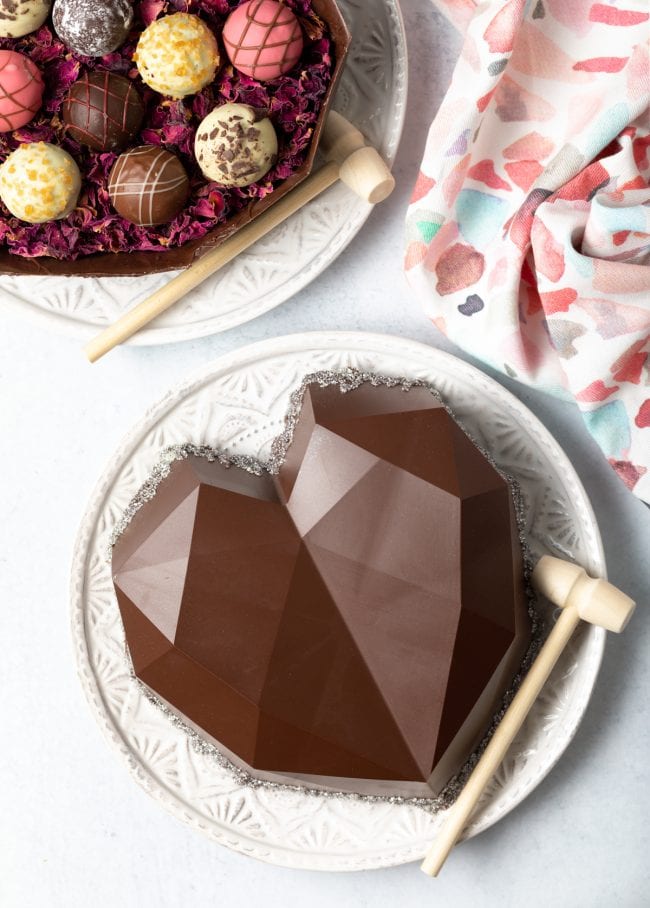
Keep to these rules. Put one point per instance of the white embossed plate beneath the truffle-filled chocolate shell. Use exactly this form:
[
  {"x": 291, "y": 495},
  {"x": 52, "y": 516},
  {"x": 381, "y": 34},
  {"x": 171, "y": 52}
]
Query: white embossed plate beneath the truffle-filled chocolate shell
[{"x": 372, "y": 94}]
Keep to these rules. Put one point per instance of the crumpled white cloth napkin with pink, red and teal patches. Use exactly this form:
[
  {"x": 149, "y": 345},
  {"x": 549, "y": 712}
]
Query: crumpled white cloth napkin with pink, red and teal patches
[{"x": 529, "y": 228}]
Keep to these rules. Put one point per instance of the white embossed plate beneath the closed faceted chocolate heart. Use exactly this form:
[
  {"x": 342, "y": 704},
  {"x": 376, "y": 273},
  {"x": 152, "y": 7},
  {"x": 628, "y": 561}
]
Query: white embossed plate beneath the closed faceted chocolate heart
[{"x": 237, "y": 404}]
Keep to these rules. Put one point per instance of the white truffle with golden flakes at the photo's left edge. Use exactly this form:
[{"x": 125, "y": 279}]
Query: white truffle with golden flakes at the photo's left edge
[{"x": 39, "y": 182}]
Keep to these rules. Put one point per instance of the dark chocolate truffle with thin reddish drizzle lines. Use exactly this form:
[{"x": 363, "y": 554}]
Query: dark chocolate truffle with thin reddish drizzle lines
[{"x": 103, "y": 111}]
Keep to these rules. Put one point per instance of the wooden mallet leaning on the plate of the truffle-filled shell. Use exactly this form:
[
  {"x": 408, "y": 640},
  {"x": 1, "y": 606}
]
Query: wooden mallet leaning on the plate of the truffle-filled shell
[{"x": 348, "y": 159}]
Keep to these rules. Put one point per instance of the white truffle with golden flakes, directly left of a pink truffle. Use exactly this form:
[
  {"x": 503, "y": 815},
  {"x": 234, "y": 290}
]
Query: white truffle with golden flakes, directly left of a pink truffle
[{"x": 177, "y": 55}]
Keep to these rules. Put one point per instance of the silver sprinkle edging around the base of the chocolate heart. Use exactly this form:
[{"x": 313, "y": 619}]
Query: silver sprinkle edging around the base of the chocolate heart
[{"x": 348, "y": 380}]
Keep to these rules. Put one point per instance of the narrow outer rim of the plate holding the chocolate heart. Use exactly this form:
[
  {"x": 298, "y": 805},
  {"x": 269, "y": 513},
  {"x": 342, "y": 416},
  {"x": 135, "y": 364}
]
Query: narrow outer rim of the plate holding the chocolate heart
[{"x": 291, "y": 344}]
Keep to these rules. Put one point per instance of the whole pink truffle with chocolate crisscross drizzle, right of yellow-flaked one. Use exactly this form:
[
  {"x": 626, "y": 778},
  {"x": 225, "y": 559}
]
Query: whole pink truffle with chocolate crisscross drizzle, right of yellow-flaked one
[{"x": 263, "y": 39}]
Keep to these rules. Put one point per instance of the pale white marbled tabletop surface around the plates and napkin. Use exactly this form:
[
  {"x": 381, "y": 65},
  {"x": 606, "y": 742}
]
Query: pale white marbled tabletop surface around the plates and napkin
[{"x": 75, "y": 831}]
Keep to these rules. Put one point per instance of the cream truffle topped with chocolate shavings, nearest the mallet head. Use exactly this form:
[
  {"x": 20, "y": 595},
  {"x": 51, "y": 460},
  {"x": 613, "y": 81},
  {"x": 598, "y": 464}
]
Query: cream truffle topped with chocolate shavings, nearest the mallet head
[{"x": 236, "y": 145}]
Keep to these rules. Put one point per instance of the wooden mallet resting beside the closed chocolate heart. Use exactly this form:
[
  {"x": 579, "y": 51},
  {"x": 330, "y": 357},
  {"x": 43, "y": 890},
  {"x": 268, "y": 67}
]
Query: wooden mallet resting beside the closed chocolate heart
[{"x": 581, "y": 598}]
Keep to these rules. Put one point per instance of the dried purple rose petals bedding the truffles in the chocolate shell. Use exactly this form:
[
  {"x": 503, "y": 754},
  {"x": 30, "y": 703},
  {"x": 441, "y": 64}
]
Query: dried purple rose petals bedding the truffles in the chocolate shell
[{"x": 294, "y": 102}]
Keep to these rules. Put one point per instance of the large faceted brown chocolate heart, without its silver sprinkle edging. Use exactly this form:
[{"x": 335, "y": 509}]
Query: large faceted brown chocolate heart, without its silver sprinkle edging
[{"x": 352, "y": 621}]
